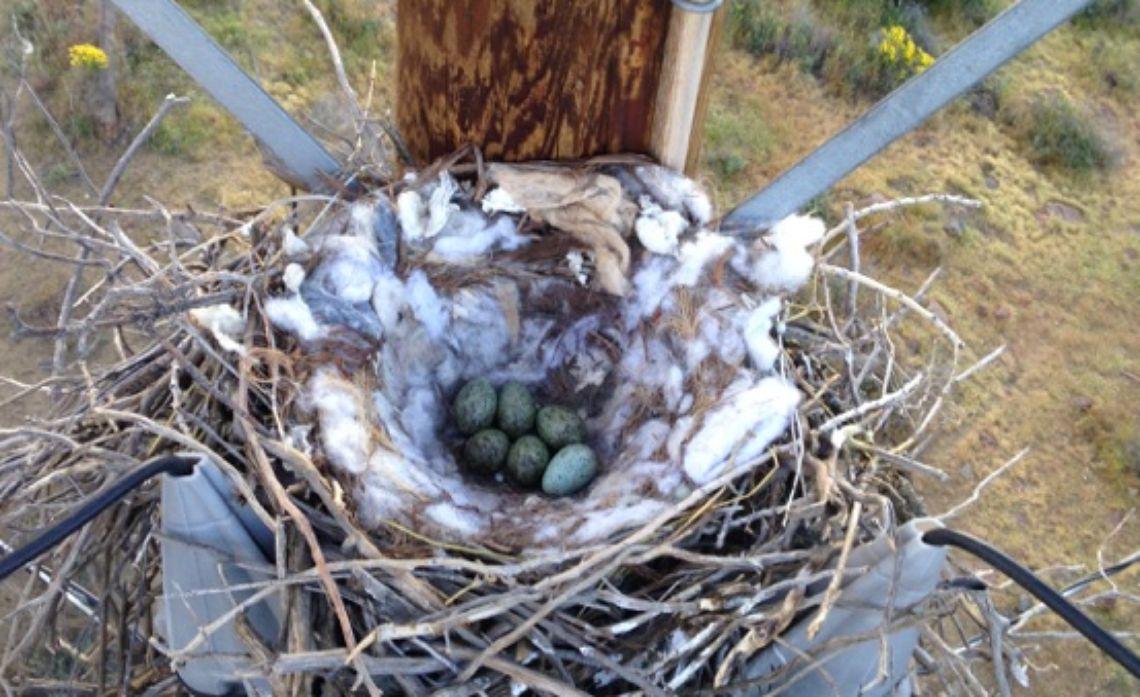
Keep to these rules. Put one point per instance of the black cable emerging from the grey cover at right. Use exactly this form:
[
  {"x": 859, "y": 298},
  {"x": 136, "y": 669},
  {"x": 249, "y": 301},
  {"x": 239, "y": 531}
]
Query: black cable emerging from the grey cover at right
[{"x": 1025, "y": 579}]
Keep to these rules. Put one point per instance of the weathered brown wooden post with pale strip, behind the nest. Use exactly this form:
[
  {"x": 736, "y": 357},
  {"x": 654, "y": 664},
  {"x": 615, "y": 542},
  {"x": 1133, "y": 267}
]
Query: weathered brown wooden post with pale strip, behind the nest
[{"x": 552, "y": 79}]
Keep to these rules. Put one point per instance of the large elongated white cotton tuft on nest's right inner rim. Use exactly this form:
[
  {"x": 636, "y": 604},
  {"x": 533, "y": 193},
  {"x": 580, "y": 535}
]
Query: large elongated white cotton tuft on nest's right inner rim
[{"x": 740, "y": 429}]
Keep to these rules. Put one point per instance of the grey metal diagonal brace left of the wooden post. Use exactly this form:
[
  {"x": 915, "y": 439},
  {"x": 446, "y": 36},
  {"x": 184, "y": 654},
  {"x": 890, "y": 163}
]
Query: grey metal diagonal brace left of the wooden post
[{"x": 295, "y": 152}]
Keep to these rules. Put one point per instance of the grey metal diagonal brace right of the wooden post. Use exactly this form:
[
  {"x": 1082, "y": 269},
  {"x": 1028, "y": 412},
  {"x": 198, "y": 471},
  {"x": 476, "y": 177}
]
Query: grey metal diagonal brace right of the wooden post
[{"x": 984, "y": 52}]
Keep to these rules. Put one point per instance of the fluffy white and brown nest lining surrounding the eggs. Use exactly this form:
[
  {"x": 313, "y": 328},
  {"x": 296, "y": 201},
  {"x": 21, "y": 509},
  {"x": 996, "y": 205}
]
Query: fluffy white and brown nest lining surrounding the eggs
[{"x": 673, "y": 363}]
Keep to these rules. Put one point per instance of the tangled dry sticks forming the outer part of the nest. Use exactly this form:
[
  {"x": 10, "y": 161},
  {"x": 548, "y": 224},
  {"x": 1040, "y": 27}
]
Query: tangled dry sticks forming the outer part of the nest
[{"x": 677, "y": 602}]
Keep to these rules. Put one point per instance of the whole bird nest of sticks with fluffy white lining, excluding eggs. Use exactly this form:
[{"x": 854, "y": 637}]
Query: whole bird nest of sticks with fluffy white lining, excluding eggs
[{"x": 753, "y": 419}]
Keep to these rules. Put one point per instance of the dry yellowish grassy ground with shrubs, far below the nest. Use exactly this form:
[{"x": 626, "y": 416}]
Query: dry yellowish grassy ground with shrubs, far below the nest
[{"x": 1051, "y": 268}]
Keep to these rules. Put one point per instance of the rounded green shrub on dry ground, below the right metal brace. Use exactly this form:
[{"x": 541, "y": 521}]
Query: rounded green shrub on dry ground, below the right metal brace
[{"x": 1060, "y": 135}]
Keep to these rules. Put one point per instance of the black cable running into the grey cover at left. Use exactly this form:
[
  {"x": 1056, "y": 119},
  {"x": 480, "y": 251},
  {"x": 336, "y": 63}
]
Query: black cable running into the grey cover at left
[{"x": 99, "y": 503}]
